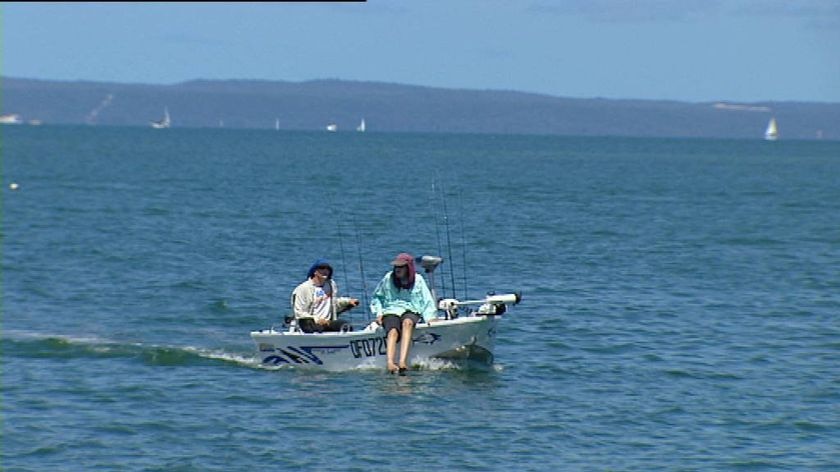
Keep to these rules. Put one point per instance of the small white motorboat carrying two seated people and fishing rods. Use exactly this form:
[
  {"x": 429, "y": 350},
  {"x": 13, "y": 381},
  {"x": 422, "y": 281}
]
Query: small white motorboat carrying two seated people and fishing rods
[{"x": 453, "y": 336}]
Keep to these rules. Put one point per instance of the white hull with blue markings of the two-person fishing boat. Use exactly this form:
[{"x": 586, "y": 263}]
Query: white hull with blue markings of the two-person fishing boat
[{"x": 467, "y": 338}]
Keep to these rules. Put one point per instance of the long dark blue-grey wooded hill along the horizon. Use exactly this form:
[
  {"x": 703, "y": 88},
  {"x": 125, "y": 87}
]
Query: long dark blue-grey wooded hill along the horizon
[{"x": 389, "y": 107}]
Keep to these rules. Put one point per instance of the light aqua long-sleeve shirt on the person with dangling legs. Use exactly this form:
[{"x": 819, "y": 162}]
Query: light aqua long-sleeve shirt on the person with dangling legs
[{"x": 388, "y": 299}]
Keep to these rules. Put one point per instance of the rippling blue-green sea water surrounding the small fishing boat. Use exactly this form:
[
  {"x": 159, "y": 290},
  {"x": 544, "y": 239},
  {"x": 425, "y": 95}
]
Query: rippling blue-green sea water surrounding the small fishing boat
[{"x": 680, "y": 300}]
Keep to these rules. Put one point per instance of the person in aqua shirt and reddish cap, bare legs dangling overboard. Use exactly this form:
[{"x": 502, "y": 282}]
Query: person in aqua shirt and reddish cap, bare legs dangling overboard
[{"x": 399, "y": 301}]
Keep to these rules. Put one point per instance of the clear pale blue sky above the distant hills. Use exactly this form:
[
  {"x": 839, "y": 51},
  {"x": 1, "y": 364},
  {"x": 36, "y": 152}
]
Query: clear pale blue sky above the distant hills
[{"x": 687, "y": 50}]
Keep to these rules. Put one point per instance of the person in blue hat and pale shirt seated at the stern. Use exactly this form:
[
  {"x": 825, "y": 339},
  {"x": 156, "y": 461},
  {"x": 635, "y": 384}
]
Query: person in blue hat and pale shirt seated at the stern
[{"x": 316, "y": 303}]
